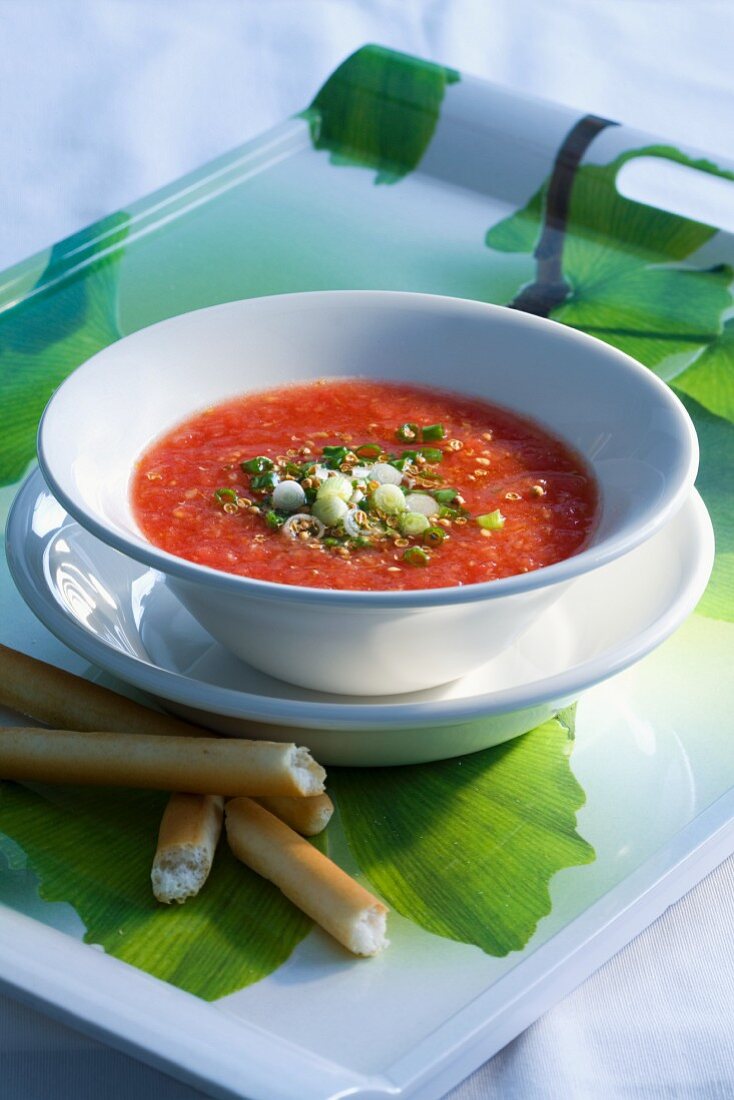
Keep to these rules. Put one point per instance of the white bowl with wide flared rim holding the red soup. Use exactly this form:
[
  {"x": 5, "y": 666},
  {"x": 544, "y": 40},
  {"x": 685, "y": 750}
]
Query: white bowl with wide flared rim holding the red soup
[{"x": 629, "y": 426}]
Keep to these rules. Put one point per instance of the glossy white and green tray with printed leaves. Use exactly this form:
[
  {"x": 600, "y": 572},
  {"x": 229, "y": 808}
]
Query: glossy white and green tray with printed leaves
[{"x": 551, "y": 852}]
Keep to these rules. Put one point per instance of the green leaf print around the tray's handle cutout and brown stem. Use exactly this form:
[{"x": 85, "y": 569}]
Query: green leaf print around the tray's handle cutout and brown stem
[{"x": 623, "y": 265}]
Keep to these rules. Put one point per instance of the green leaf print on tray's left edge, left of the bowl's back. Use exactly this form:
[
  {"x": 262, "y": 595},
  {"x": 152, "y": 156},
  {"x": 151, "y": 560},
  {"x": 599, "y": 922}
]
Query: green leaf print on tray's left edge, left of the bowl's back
[{"x": 70, "y": 315}]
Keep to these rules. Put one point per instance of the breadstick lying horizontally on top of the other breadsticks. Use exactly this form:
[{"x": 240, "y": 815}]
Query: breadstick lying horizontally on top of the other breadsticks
[{"x": 201, "y": 765}]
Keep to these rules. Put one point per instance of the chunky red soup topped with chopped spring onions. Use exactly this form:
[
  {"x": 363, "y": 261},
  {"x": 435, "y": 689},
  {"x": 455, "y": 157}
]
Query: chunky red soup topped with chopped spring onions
[{"x": 371, "y": 486}]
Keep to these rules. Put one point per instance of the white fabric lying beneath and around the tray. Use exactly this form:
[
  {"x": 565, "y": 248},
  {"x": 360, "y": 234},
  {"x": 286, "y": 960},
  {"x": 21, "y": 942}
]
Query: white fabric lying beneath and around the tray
[{"x": 104, "y": 101}]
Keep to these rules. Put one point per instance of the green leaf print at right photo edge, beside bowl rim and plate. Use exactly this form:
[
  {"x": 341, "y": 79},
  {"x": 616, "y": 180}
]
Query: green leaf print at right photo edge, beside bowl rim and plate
[{"x": 715, "y": 485}]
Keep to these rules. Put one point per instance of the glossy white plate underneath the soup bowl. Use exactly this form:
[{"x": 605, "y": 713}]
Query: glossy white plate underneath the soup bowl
[{"x": 122, "y": 617}]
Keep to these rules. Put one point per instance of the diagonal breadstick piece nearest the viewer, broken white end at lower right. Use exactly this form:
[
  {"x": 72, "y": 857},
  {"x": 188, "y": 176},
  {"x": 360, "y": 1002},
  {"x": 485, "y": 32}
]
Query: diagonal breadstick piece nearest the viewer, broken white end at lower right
[{"x": 310, "y": 879}]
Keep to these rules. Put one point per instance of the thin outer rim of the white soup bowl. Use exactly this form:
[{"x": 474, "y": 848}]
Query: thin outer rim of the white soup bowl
[{"x": 590, "y": 558}]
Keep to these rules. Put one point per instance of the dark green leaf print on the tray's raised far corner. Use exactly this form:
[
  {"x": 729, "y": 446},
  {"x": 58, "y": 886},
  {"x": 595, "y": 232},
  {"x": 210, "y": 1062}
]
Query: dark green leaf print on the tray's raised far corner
[{"x": 379, "y": 111}]
